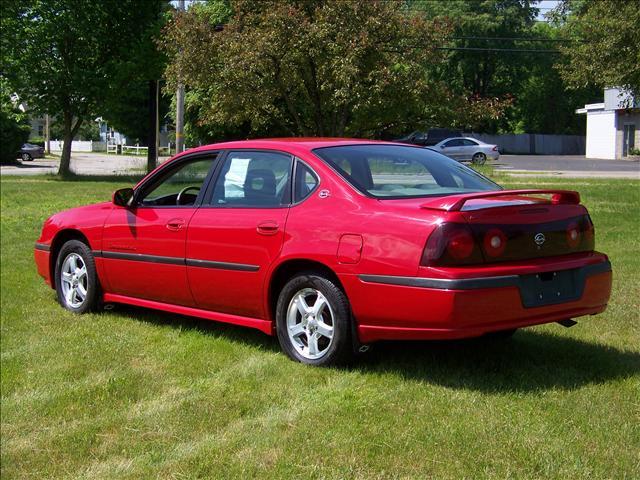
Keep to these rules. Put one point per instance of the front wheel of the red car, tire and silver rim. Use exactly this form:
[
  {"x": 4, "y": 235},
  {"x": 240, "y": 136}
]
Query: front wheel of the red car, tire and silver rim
[{"x": 74, "y": 258}]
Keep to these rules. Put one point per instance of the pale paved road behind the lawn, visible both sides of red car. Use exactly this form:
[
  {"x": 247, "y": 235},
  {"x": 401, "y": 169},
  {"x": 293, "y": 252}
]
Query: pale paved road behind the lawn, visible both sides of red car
[{"x": 547, "y": 165}]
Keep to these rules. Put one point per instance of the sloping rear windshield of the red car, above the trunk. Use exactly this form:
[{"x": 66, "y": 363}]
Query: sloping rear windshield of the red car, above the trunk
[{"x": 400, "y": 171}]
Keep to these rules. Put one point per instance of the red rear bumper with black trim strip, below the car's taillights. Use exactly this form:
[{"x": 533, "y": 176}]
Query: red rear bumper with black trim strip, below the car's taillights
[{"x": 419, "y": 308}]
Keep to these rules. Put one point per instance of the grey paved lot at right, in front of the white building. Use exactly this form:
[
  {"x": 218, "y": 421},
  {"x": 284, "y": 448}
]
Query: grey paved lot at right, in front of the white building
[{"x": 568, "y": 166}]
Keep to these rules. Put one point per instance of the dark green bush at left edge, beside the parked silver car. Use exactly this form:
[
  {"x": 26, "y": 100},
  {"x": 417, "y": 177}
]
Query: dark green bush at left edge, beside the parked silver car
[{"x": 14, "y": 126}]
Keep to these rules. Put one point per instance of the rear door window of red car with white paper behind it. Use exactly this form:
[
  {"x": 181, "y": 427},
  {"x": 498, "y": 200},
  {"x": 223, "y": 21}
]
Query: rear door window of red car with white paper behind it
[{"x": 254, "y": 179}]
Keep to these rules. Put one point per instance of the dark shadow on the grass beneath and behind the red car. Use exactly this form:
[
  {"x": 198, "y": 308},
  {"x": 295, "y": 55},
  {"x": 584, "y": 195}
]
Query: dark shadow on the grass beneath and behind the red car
[{"x": 530, "y": 361}]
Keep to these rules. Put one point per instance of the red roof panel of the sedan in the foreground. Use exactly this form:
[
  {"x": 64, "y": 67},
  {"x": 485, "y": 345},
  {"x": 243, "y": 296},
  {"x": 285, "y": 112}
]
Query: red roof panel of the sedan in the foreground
[{"x": 288, "y": 144}]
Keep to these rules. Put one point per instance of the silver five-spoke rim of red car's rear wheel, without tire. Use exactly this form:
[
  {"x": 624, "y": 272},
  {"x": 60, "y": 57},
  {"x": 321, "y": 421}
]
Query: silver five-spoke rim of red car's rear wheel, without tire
[{"x": 310, "y": 323}]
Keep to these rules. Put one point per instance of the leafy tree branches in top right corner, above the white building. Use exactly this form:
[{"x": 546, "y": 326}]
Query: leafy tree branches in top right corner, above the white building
[{"x": 607, "y": 48}]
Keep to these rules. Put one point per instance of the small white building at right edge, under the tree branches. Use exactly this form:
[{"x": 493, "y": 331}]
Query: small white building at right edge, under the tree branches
[{"x": 613, "y": 127}]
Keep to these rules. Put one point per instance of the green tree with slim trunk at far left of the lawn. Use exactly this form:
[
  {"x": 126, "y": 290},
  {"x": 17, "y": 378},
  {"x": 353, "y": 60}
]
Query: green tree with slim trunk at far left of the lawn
[{"x": 63, "y": 55}]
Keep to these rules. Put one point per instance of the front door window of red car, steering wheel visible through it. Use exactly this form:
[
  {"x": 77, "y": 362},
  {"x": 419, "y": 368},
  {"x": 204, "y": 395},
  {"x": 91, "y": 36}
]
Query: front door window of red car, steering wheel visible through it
[{"x": 179, "y": 185}]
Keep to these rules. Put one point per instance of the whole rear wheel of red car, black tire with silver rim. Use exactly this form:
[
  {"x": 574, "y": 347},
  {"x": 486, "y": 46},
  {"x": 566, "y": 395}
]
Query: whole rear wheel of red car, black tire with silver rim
[{"x": 329, "y": 346}]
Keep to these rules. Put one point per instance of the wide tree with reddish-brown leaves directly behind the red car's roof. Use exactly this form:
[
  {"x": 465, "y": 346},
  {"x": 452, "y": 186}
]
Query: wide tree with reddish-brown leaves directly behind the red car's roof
[{"x": 313, "y": 68}]
